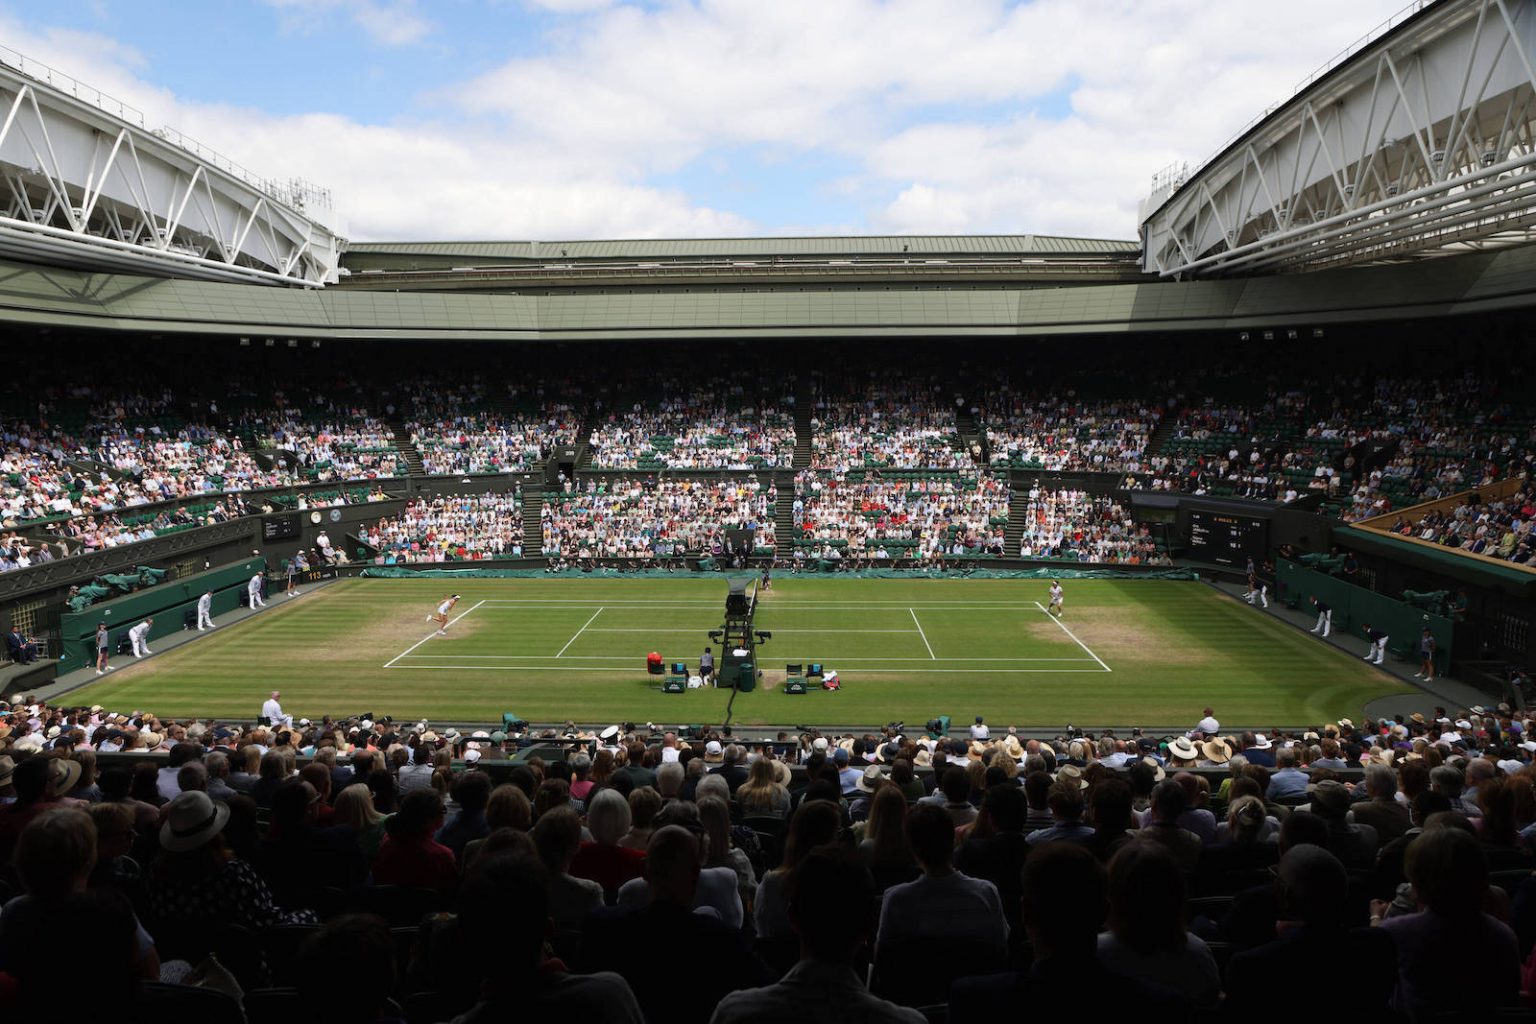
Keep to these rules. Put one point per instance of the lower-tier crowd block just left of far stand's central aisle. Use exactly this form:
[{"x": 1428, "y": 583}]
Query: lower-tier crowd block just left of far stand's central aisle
[{"x": 666, "y": 518}]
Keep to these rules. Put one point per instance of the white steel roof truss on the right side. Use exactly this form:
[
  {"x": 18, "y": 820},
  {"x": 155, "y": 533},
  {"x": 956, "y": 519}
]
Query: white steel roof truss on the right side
[{"x": 1418, "y": 145}]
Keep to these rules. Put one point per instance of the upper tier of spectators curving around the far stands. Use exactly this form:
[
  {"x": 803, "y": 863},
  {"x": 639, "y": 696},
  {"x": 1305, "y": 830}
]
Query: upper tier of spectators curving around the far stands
[{"x": 76, "y": 458}]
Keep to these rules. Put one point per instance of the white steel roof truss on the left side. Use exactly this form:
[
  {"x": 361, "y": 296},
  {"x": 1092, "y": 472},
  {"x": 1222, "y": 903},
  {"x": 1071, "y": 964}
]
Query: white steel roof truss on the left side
[{"x": 82, "y": 185}]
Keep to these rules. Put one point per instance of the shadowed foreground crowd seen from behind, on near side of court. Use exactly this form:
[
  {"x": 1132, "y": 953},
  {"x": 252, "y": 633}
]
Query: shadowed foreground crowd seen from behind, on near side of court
[{"x": 1385, "y": 867}]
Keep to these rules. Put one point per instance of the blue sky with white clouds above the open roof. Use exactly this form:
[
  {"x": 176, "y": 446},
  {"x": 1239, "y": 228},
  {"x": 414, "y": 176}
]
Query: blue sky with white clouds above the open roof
[{"x": 586, "y": 119}]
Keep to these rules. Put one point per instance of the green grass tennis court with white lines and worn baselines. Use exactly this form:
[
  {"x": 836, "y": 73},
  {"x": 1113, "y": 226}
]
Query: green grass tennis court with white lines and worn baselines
[{"x": 1125, "y": 653}]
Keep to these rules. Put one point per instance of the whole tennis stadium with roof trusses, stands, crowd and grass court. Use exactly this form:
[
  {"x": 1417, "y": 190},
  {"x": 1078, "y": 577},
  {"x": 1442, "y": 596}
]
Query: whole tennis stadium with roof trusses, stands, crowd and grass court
[{"x": 1271, "y": 405}]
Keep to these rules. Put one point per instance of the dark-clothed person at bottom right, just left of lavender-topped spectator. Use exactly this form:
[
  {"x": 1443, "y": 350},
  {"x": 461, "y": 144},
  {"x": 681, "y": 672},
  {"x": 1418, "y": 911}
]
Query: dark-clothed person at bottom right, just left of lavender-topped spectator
[{"x": 1314, "y": 891}]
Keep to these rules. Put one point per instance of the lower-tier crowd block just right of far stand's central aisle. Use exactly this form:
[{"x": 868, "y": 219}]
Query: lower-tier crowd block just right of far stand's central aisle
[{"x": 909, "y": 518}]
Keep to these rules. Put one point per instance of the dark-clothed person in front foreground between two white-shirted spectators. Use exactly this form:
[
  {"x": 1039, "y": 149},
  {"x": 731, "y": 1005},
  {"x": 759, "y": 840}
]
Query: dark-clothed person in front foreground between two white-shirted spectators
[{"x": 1065, "y": 894}]
